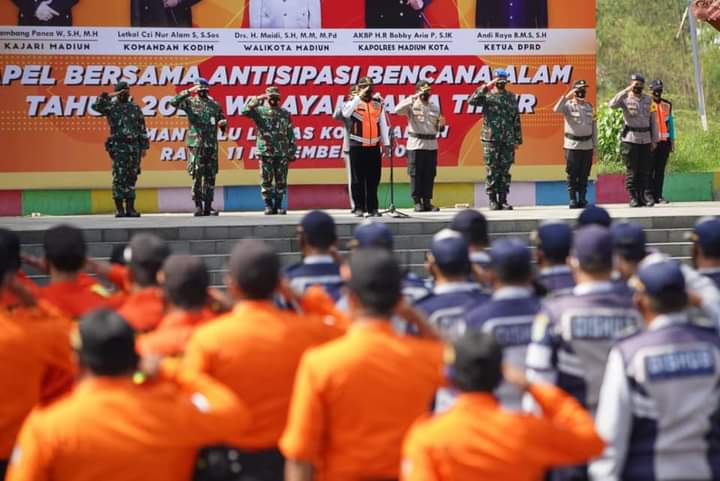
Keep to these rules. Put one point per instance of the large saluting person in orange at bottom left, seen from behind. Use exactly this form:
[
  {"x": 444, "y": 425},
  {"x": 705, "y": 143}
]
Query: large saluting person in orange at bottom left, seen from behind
[{"x": 118, "y": 426}]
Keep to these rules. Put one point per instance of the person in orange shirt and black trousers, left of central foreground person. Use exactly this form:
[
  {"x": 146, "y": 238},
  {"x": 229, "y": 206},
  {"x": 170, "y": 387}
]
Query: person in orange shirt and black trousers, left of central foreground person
[{"x": 255, "y": 351}]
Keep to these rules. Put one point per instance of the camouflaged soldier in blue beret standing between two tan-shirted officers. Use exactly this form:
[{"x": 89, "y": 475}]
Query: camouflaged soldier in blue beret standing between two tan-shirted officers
[{"x": 501, "y": 135}]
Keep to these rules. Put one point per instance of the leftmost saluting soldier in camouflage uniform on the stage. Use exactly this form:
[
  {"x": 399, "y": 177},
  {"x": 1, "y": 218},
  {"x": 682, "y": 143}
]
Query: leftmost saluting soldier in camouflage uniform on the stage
[{"x": 127, "y": 144}]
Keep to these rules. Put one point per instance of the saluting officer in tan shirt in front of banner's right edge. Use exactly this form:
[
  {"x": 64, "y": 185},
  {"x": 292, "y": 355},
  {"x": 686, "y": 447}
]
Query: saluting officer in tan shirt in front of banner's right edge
[{"x": 580, "y": 140}]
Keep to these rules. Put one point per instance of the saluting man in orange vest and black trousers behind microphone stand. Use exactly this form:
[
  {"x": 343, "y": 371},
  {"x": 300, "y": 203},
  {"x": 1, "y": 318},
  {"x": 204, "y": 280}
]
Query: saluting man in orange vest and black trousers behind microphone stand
[{"x": 368, "y": 126}]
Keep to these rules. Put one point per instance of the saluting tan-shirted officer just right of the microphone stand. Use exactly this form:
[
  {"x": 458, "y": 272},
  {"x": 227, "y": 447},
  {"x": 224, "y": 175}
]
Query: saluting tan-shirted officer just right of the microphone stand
[{"x": 425, "y": 122}]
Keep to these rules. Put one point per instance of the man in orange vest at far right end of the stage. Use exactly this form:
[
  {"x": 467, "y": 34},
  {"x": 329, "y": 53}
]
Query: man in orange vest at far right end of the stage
[{"x": 666, "y": 128}]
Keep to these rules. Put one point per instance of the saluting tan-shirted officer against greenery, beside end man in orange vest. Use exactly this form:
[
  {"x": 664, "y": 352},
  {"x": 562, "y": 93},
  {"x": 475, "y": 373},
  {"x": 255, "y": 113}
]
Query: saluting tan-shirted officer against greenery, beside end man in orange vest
[{"x": 639, "y": 139}]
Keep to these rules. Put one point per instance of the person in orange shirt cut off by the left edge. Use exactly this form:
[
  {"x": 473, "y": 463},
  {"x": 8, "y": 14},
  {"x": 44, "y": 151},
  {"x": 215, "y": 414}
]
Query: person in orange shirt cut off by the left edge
[{"x": 34, "y": 353}]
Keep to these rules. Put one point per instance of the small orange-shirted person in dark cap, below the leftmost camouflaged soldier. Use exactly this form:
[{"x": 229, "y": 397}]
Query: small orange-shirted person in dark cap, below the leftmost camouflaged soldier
[{"x": 144, "y": 307}]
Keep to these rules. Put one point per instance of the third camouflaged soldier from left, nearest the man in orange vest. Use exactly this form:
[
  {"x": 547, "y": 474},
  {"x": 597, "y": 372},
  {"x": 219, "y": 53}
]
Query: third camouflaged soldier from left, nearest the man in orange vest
[{"x": 275, "y": 146}]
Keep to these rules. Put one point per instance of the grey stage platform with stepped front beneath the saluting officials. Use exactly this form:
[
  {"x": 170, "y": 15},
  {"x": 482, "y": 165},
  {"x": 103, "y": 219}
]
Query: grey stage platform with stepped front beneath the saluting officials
[{"x": 213, "y": 237}]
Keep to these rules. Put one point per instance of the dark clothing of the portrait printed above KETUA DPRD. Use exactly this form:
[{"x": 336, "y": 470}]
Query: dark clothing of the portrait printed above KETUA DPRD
[{"x": 511, "y": 14}]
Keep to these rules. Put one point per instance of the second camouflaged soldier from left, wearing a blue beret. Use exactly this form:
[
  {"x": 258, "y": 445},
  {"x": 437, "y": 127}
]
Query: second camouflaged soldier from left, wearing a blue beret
[{"x": 205, "y": 116}]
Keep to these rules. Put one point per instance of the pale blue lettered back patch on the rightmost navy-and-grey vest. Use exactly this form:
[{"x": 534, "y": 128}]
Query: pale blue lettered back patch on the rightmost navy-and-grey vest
[{"x": 680, "y": 364}]
